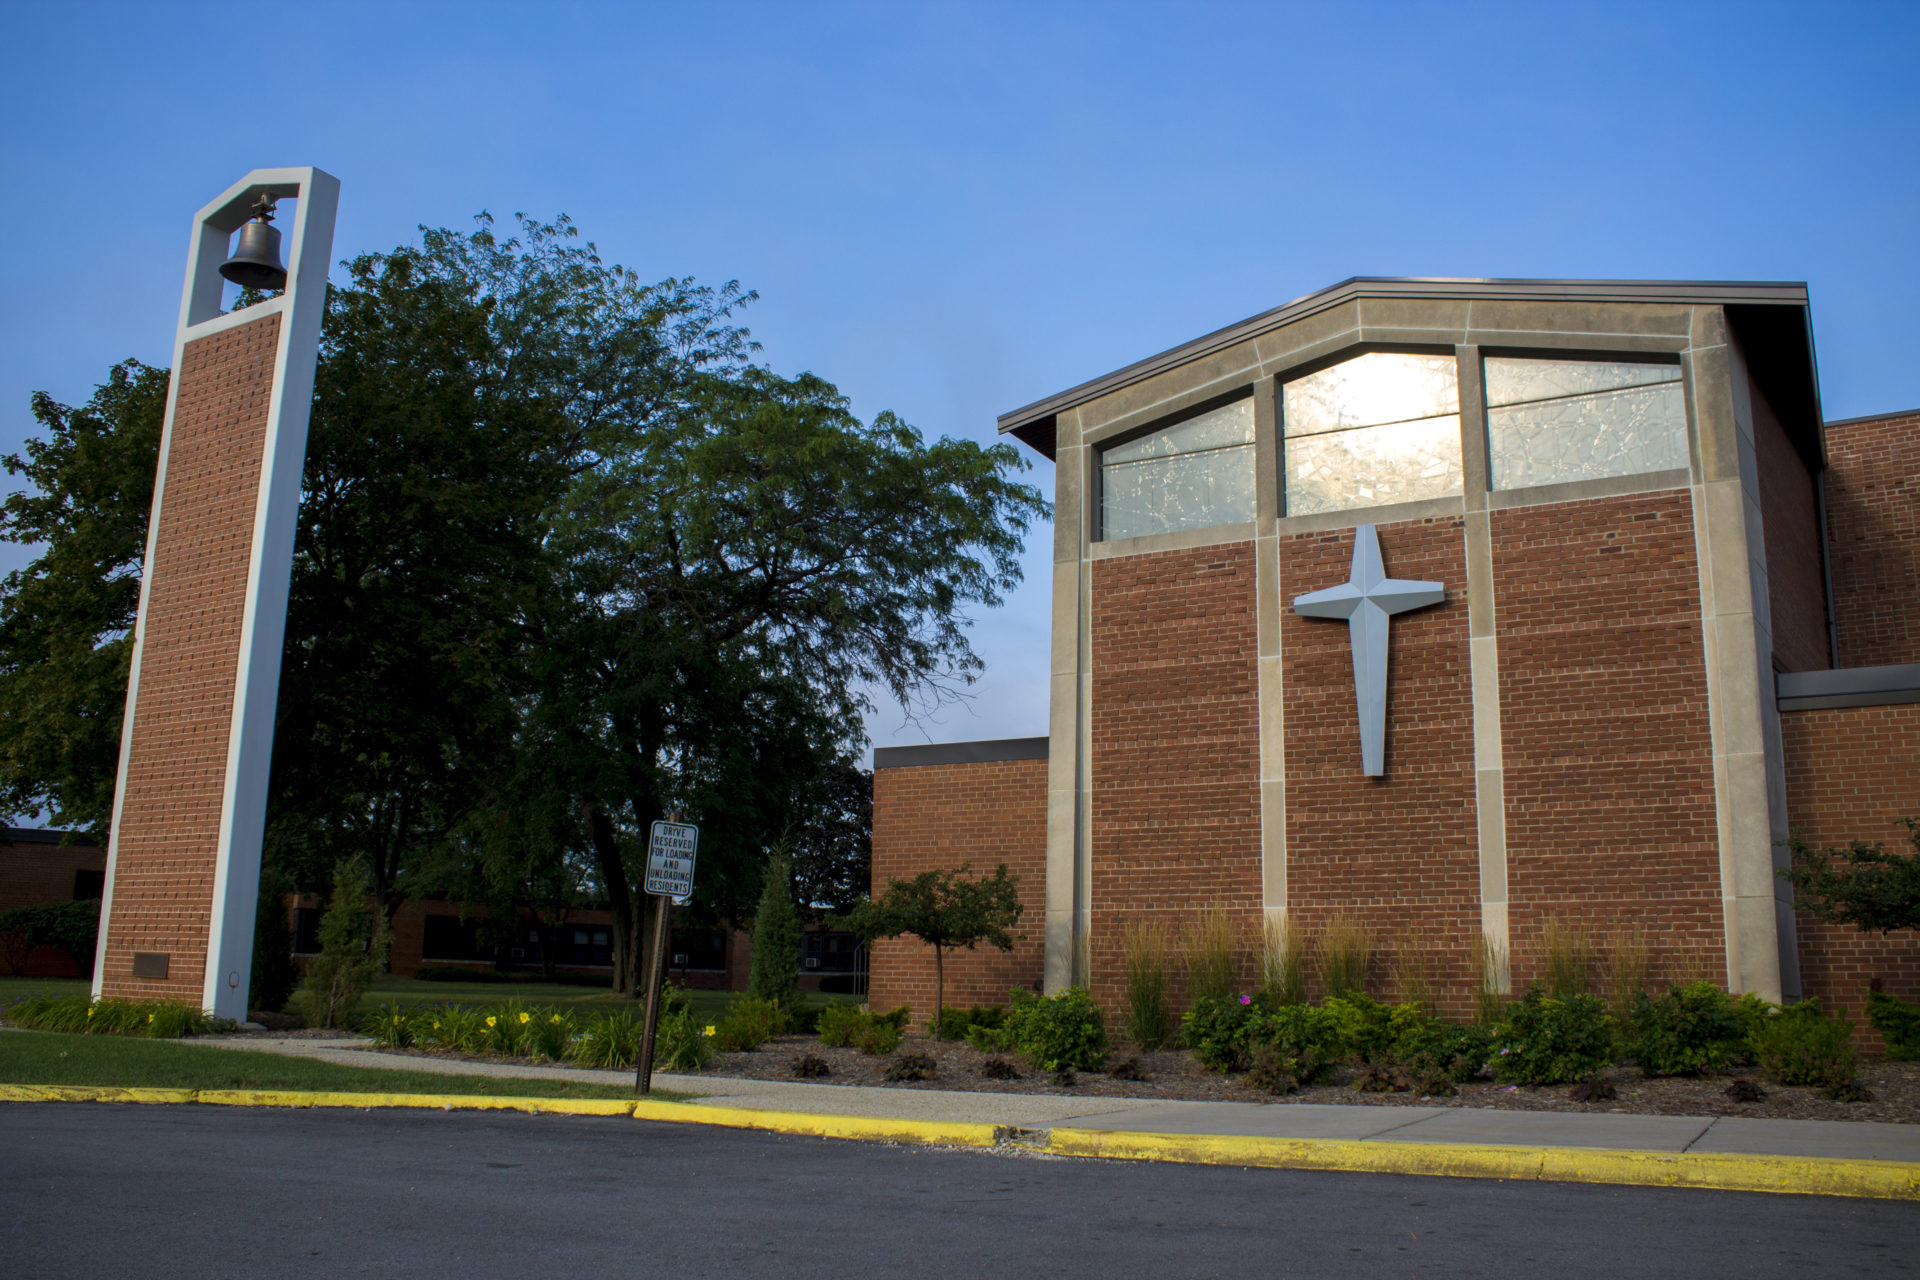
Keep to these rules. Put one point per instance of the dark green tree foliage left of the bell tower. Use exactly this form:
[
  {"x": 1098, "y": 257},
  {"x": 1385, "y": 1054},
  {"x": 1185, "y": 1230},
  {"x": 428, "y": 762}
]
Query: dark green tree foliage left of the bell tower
[{"x": 66, "y": 621}]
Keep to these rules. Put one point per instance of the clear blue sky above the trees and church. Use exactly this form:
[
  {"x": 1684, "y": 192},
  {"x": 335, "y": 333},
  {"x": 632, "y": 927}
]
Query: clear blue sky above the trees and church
[{"x": 957, "y": 210}]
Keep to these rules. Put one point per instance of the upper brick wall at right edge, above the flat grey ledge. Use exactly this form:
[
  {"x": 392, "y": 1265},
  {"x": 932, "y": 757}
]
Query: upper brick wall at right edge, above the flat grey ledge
[{"x": 1873, "y": 513}]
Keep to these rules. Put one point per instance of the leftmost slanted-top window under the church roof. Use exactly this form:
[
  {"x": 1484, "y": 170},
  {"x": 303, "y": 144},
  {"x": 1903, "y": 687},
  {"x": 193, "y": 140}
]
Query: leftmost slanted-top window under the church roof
[{"x": 1186, "y": 477}]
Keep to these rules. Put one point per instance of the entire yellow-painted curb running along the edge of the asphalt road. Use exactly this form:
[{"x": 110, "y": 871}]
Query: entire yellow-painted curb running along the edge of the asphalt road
[{"x": 1794, "y": 1175}]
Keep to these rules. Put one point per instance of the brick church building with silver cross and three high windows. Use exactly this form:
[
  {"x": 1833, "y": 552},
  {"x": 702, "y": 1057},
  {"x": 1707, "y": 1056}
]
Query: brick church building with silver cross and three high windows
[{"x": 1621, "y": 613}]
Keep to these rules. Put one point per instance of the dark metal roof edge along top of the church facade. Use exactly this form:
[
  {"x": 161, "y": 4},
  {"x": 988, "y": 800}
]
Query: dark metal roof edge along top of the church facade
[{"x": 1746, "y": 293}]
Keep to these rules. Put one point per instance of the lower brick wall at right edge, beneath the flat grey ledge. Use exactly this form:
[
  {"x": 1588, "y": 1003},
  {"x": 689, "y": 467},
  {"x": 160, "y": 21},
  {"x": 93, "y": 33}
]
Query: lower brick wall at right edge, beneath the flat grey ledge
[{"x": 1852, "y": 772}]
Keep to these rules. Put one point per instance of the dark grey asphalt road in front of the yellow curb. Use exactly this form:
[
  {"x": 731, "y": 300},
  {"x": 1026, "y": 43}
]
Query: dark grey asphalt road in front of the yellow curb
[{"x": 133, "y": 1193}]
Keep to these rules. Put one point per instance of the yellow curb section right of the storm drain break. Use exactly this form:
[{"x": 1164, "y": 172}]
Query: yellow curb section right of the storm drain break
[{"x": 1873, "y": 1179}]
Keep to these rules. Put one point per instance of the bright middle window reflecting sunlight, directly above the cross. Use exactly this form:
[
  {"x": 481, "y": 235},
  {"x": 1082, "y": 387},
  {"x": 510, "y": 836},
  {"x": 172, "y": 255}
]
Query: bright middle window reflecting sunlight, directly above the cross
[{"x": 1372, "y": 431}]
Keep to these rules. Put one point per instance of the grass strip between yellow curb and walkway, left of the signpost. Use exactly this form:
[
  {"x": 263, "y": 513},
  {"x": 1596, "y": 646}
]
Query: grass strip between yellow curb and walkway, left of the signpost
[{"x": 130, "y": 1062}]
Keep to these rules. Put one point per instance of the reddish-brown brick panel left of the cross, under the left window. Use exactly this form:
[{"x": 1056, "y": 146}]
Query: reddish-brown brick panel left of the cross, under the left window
[{"x": 1176, "y": 749}]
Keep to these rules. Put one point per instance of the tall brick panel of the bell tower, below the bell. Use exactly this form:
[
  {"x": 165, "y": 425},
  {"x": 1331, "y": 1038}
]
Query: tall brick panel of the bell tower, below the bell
[{"x": 197, "y": 590}]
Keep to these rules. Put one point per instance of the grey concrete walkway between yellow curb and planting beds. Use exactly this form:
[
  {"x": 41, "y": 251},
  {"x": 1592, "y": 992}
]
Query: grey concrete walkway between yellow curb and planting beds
[{"x": 1145, "y": 1116}]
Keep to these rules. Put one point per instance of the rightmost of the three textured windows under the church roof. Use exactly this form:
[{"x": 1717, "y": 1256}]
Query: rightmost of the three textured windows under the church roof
[{"x": 1550, "y": 421}]
